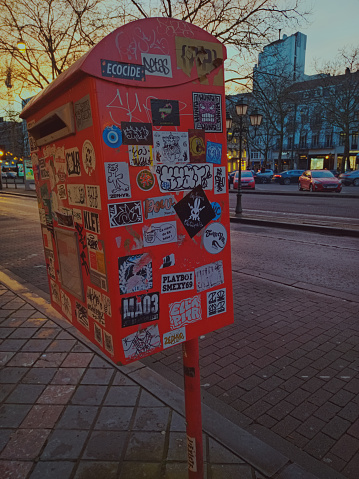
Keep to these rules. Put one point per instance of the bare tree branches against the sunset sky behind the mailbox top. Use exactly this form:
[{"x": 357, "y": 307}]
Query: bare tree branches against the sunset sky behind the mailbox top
[{"x": 57, "y": 32}]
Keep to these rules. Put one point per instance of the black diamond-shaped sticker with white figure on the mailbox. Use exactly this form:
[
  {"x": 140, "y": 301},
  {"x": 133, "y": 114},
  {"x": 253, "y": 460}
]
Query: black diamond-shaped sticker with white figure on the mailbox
[{"x": 195, "y": 211}]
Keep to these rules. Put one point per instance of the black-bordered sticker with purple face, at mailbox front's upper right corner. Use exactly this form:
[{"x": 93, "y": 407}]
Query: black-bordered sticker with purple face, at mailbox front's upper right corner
[{"x": 207, "y": 112}]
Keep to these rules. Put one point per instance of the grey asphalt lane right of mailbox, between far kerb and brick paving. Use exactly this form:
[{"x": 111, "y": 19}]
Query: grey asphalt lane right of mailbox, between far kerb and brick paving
[{"x": 327, "y": 261}]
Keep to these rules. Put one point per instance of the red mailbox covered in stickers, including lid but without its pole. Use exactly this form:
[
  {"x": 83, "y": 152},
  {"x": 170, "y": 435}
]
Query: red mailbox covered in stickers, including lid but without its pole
[{"x": 129, "y": 157}]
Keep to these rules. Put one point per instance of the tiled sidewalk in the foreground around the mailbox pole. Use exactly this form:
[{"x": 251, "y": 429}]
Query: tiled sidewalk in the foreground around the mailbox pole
[{"x": 67, "y": 412}]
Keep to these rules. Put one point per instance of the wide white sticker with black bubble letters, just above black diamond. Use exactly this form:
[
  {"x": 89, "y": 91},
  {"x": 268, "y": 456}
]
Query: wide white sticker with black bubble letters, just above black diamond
[{"x": 186, "y": 177}]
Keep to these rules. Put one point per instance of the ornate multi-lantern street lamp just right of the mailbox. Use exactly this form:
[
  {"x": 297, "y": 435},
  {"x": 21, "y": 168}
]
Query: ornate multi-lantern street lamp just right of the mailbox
[{"x": 255, "y": 119}]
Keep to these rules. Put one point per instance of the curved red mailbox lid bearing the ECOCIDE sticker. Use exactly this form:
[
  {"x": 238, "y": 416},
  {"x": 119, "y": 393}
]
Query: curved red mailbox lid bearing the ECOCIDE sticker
[{"x": 180, "y": 53}]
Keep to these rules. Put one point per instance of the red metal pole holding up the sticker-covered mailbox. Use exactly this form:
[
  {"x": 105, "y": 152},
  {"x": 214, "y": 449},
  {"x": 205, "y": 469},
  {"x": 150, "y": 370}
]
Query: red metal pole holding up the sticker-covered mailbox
[{"x": 192, "y": 392}]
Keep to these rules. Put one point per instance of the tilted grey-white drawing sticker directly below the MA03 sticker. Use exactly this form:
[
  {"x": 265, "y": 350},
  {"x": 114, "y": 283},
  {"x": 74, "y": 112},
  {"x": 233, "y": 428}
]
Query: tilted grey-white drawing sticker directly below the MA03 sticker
[{"x": 142, "y": 343}]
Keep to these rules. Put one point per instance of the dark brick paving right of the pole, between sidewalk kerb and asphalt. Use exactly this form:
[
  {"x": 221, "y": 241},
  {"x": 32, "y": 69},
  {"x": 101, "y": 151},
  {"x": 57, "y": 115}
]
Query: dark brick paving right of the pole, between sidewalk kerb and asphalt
[{"x": 287, "y": 370}]
